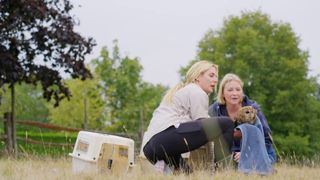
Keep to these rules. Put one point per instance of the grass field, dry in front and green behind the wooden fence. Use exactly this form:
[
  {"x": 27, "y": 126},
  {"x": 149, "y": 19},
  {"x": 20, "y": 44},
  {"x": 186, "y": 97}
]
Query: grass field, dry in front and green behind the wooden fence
[{"x": 50, "y": 162}]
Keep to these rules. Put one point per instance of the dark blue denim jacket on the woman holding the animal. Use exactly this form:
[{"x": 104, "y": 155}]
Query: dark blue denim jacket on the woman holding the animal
[{"x": 217, "y": 109}]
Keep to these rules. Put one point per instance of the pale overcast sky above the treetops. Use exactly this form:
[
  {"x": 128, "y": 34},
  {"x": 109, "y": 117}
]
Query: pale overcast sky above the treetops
[{"x": 164, "y": 34}]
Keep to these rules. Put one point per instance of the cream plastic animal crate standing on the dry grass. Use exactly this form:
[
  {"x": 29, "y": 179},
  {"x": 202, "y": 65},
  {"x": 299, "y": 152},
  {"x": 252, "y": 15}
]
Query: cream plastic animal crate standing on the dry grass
[{"x": 102, "y": 153}]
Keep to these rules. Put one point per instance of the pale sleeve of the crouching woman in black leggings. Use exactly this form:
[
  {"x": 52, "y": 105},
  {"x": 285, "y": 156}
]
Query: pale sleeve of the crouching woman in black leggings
[{"x": 199, "y": 103}]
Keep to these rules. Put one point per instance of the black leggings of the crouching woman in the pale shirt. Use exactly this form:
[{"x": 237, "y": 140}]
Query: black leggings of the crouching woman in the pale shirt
[{"x": 169, "y": 144}]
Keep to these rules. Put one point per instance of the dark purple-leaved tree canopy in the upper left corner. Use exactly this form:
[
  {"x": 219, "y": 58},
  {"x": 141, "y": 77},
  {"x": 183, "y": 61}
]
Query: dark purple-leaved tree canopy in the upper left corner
[{"x": 37, "y": 40}]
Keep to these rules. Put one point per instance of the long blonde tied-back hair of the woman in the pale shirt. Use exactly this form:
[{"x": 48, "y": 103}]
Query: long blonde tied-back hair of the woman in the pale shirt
[{"x": 193, "y": 73}]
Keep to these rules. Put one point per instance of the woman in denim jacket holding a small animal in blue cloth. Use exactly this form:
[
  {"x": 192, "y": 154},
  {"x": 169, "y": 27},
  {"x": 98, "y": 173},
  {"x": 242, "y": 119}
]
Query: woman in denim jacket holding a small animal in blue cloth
[{"x": 230, "y": 102}]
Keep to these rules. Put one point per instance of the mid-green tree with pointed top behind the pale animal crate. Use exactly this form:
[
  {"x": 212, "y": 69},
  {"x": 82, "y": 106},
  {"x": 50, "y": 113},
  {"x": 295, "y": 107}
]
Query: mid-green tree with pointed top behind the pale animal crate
[{"x": 129, "y": 101}]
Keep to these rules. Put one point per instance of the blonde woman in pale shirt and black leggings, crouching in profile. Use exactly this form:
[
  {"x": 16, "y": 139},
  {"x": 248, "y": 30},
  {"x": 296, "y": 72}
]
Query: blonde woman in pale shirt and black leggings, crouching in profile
[{"x": 181, "y": 122}]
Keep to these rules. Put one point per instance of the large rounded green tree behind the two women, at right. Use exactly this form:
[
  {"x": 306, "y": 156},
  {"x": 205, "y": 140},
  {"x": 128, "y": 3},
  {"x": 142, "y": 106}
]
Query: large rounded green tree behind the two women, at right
[{"x": 266, "y": 55}]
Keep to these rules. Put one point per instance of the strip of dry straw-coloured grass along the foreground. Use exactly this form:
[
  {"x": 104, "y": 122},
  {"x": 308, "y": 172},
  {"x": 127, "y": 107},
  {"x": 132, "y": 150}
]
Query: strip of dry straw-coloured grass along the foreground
[{"x": 46, "y": 168}]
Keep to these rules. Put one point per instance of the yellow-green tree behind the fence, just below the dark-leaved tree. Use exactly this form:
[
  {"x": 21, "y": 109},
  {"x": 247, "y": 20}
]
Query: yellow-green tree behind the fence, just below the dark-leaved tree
[{"x": 84, "y": 109}]
